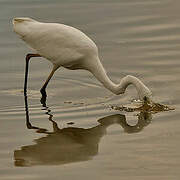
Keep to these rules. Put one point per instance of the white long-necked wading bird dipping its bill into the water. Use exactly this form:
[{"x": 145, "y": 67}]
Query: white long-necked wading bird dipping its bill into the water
[{"x": 68, "y": 47}]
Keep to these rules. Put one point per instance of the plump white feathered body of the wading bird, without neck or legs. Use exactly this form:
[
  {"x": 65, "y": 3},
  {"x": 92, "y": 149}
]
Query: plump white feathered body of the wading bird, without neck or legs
[{"x": 66, "y": 46}]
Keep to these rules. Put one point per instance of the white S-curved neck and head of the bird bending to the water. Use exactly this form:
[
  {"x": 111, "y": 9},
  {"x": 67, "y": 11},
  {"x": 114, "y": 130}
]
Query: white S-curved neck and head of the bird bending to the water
[{"x": 99, "y": 72}]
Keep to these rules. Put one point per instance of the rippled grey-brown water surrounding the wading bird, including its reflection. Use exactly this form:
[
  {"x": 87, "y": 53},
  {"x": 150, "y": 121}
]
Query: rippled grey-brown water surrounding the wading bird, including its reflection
[{"x": 137, "y": 37}]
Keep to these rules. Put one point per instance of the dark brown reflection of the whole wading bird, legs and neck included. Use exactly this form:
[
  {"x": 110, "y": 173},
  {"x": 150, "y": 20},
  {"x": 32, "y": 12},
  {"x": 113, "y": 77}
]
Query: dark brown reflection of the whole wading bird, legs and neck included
[{"x": 71, "y": 144}]
